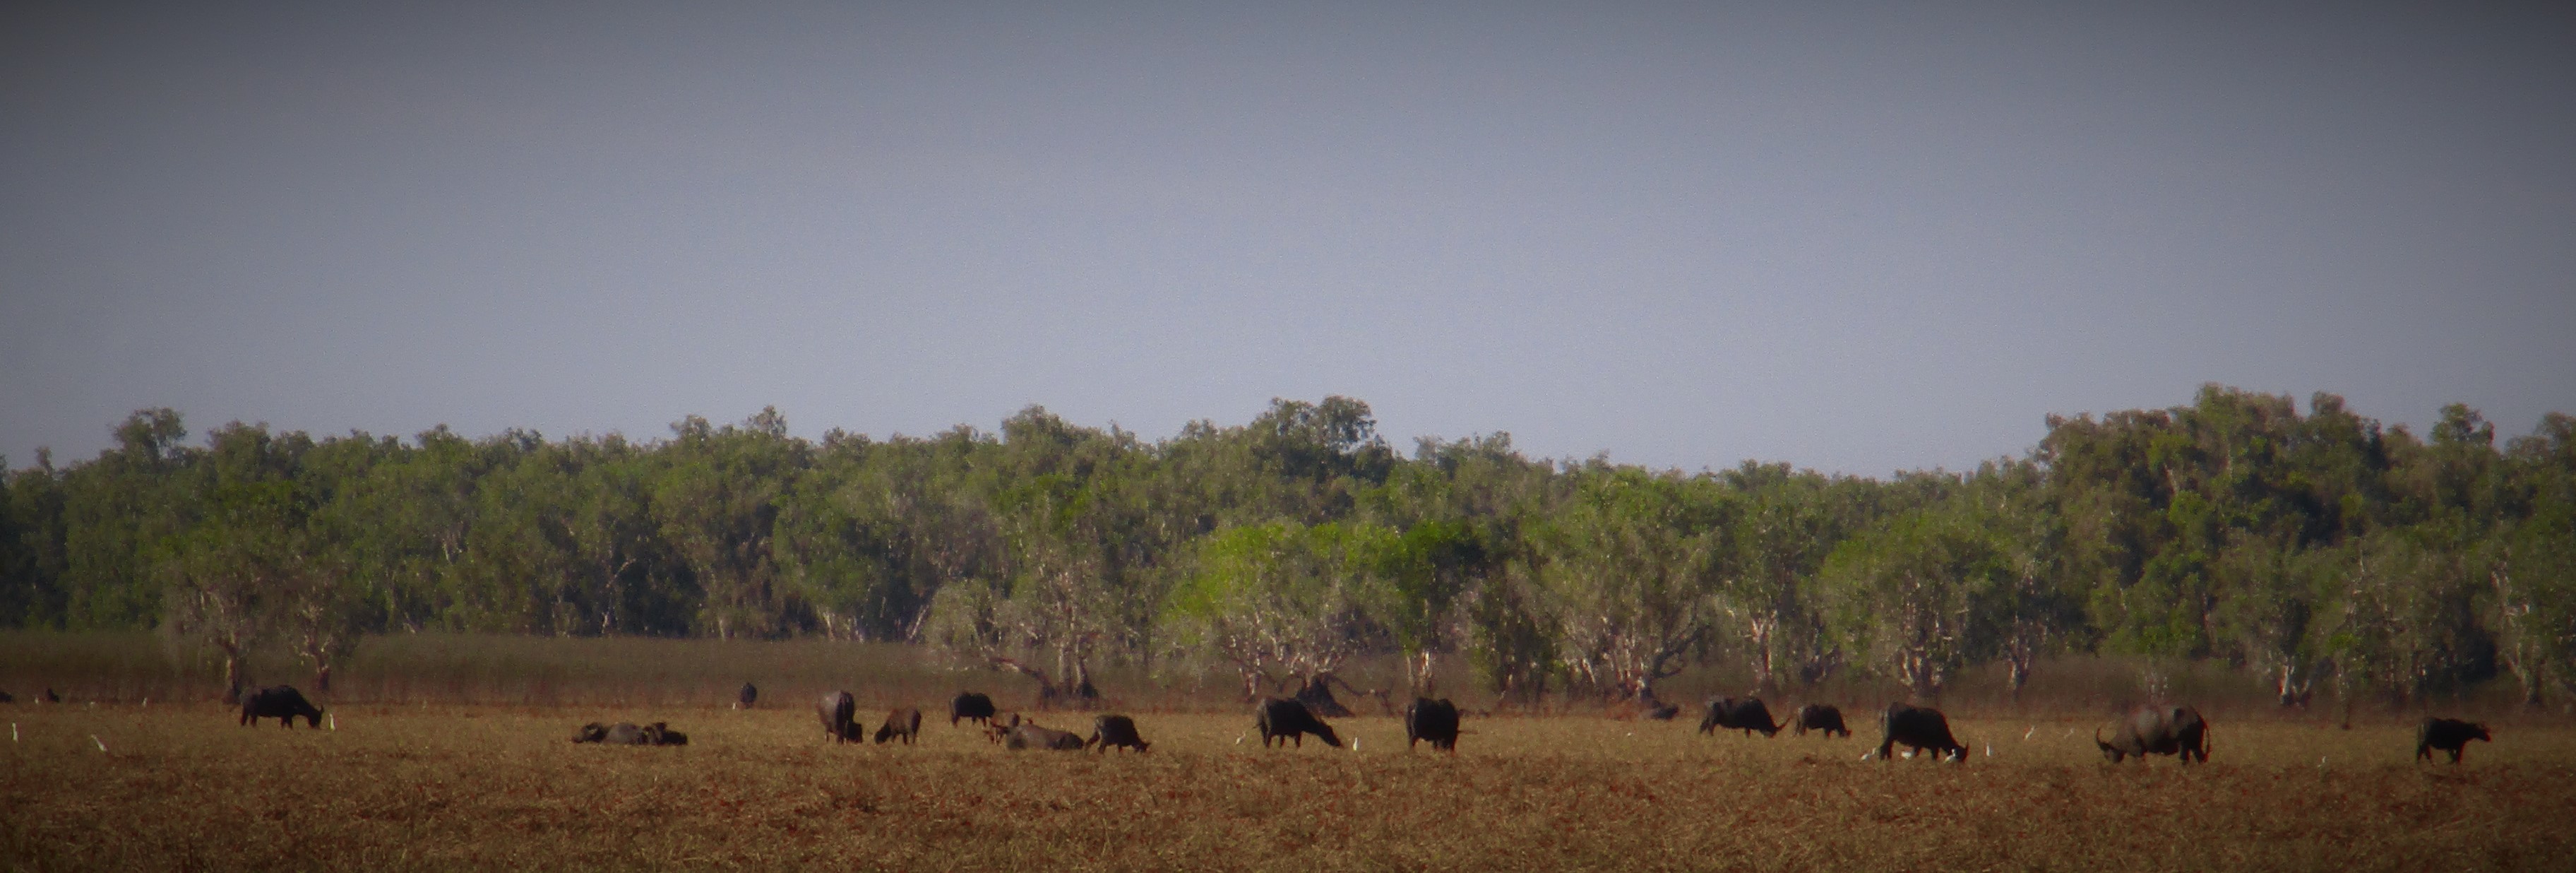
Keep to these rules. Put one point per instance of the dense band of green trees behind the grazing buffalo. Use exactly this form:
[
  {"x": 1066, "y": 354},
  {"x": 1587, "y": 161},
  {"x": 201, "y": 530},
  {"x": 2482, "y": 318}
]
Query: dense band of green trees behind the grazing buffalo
[{"x": 2302, "y": 547}]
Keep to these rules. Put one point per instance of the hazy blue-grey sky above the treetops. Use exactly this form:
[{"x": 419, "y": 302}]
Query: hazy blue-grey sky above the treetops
[{"x": 1859, "y": 238}]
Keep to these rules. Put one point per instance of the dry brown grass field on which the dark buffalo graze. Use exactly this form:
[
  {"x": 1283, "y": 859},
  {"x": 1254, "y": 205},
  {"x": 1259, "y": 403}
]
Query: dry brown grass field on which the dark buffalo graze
[{"x": 498, "y": 787}]
